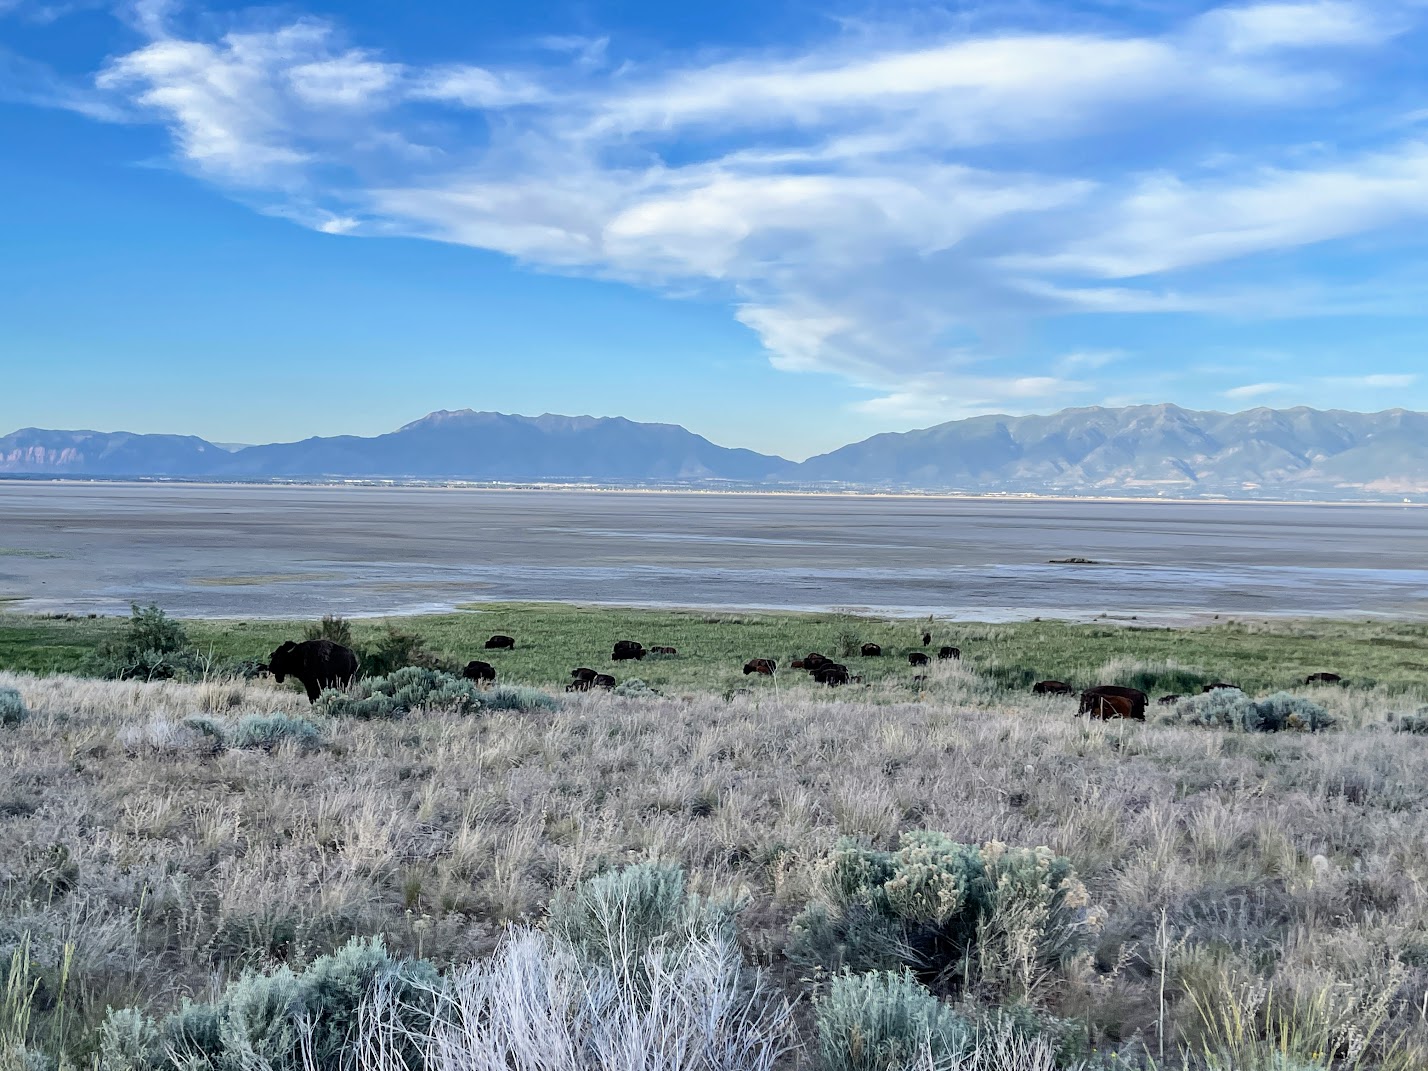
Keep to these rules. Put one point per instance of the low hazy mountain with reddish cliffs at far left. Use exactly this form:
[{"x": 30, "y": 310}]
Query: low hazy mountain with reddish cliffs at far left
[{"x": 106, "y": 453}]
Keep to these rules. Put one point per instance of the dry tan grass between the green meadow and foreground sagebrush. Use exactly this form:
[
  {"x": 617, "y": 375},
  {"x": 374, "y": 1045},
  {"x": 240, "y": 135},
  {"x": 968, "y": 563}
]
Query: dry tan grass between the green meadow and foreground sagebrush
[{"x": 1227, "y": 866}]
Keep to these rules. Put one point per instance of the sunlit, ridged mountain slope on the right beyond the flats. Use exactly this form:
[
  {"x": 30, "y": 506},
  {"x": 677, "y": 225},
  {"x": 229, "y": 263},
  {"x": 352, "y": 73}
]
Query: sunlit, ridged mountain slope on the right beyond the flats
[{"x": 1147, "y": 449}]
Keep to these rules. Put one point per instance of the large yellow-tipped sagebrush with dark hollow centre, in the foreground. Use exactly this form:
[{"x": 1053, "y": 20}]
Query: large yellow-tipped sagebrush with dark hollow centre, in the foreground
[{"x": 946, "y": 910}]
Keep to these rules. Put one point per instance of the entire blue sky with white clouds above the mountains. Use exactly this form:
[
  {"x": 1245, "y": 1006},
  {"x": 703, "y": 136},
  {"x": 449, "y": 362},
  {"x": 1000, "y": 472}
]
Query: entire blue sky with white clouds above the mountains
[{"x": 783, "y": 225}]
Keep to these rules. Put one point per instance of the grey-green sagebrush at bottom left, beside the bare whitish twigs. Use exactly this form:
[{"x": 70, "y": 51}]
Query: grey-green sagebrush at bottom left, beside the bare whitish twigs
[{"x": 278, "y": 1022}]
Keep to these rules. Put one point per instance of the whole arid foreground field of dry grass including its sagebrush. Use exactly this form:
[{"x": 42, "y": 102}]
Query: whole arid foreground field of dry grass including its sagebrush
[{"x": 659, "y": 880}]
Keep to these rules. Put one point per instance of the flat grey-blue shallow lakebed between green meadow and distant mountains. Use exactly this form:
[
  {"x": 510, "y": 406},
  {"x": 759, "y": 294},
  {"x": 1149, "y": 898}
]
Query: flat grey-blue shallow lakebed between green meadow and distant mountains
[{"x": 285, "y": 552}]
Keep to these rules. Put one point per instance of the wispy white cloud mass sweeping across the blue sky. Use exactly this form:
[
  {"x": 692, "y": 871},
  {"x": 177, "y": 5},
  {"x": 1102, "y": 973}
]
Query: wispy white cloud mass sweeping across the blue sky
[{"x": 896, "y": 212}]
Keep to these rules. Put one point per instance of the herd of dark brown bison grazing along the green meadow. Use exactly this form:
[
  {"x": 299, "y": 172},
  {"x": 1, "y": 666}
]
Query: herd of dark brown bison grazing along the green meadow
[{"x": 321, "y": 665}]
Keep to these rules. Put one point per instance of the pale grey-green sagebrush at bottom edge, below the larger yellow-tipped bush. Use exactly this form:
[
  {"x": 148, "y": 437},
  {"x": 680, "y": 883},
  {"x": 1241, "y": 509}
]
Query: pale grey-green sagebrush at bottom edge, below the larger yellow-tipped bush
[{"x": 886, "y": 1022}]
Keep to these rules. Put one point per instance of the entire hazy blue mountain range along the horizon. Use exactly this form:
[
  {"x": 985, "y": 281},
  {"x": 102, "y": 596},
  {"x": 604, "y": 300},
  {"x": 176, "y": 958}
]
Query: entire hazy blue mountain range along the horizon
[{"x": 1139, "y": 451}]
